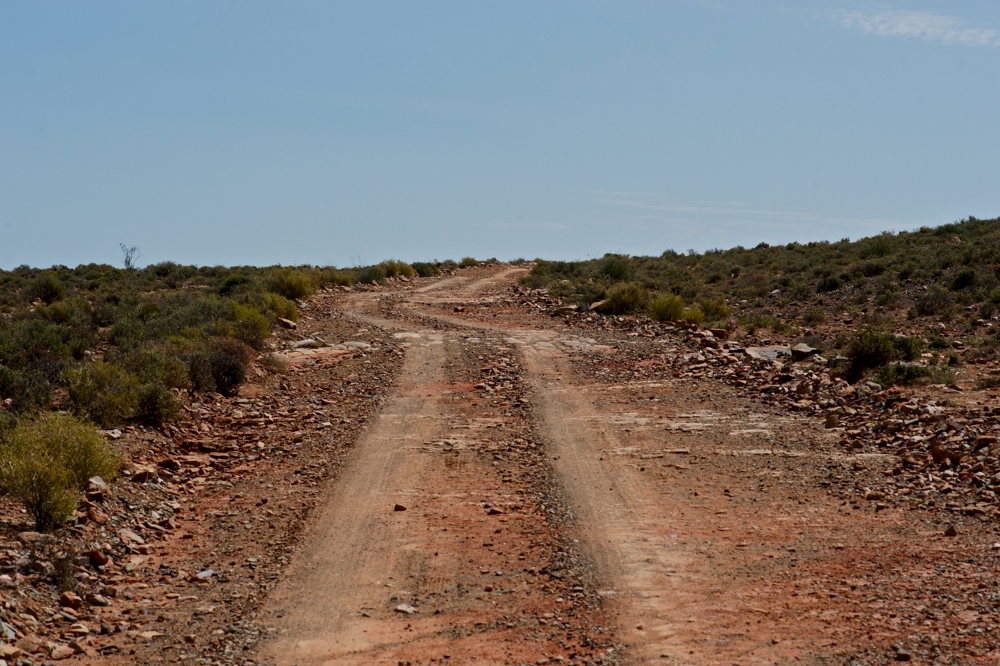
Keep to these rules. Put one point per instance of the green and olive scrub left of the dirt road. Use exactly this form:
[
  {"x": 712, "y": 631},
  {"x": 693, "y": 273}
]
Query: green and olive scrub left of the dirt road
[{"x": 105, "y": 347}]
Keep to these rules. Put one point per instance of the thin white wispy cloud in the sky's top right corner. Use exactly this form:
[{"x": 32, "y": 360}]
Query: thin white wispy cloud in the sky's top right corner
[{"x": 921, "y": 25}]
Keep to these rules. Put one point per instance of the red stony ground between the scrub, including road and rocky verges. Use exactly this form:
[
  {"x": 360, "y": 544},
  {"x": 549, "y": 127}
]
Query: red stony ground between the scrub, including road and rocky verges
[{"x": 760, "y": 510}]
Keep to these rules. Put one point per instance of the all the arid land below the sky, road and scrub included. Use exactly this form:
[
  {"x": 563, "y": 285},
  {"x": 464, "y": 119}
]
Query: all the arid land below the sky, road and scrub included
[{"x": 220, "y": 406}]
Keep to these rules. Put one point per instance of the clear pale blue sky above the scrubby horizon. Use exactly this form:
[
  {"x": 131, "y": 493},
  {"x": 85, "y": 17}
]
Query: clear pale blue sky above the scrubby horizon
[{"x": 342, "y": 133}]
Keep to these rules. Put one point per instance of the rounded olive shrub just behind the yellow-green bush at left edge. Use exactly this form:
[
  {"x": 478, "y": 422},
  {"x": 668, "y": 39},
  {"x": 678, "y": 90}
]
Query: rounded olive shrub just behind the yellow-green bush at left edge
[{"x": 105, "y": 393}]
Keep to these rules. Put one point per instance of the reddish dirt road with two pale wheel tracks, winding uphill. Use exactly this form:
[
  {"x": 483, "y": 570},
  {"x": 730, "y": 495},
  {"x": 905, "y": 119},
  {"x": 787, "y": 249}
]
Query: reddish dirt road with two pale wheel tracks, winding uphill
[{"x": 579, "y": 519}]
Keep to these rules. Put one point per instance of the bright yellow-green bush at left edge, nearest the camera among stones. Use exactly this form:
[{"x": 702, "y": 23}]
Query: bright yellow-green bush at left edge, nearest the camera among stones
[{"x": 46, "y": 461}]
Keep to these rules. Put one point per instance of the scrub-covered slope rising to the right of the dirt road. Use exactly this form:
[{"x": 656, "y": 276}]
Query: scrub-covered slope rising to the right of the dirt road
[{"x": 873, "y": 305}]
